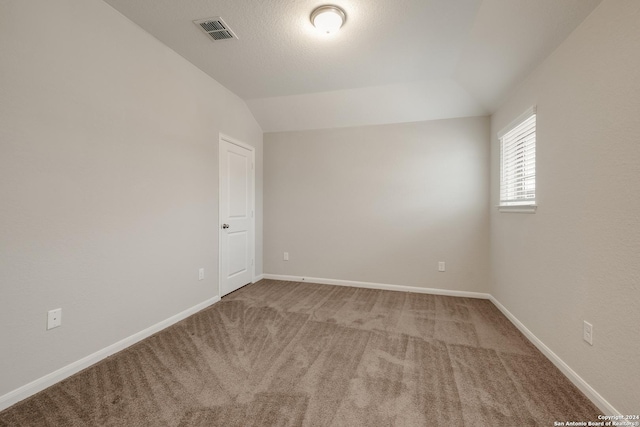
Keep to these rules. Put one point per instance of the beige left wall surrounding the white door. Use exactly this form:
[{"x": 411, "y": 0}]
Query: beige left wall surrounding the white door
[{"x": 108, "y": 181}]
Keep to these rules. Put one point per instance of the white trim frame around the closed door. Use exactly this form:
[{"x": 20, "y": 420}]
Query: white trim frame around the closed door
[{"x": 252, "y": 240}]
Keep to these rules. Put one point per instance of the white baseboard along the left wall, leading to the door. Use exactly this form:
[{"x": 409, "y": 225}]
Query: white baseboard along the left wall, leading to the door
[{"x": 48, "y": 380}]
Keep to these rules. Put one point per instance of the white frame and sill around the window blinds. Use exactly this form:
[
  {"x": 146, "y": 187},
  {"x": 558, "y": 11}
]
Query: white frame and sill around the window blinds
[{"x": 518, "y": 205}]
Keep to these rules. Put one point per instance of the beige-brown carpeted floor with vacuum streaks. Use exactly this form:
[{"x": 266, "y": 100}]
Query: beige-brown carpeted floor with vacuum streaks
[{"x": 292, "y": 354}]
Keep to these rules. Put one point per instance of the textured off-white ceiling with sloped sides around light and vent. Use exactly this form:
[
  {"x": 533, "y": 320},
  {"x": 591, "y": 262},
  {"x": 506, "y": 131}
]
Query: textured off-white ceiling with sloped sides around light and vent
[{"x": 392, "y": 62}]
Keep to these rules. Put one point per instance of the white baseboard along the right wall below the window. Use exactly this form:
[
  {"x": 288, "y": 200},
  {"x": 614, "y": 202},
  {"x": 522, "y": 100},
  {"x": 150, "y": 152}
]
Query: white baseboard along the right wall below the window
[{"x": 584, "y": 387}]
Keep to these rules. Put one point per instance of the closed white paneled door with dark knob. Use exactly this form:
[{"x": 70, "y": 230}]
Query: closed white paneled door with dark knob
[{"x": 236, "y": 215}]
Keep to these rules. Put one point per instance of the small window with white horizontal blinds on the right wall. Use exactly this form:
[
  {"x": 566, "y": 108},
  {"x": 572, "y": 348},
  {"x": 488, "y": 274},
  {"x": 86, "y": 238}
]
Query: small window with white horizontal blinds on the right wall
[{"x": 518, "y": 164}]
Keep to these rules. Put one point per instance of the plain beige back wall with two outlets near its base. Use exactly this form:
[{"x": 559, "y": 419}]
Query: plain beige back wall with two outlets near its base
[{"x": 381, "y": 204}]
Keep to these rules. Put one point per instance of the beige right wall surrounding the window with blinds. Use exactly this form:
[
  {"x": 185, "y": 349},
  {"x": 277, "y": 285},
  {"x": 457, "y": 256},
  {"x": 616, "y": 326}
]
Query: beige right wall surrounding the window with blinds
[{"x": 578, "y": 257}]
